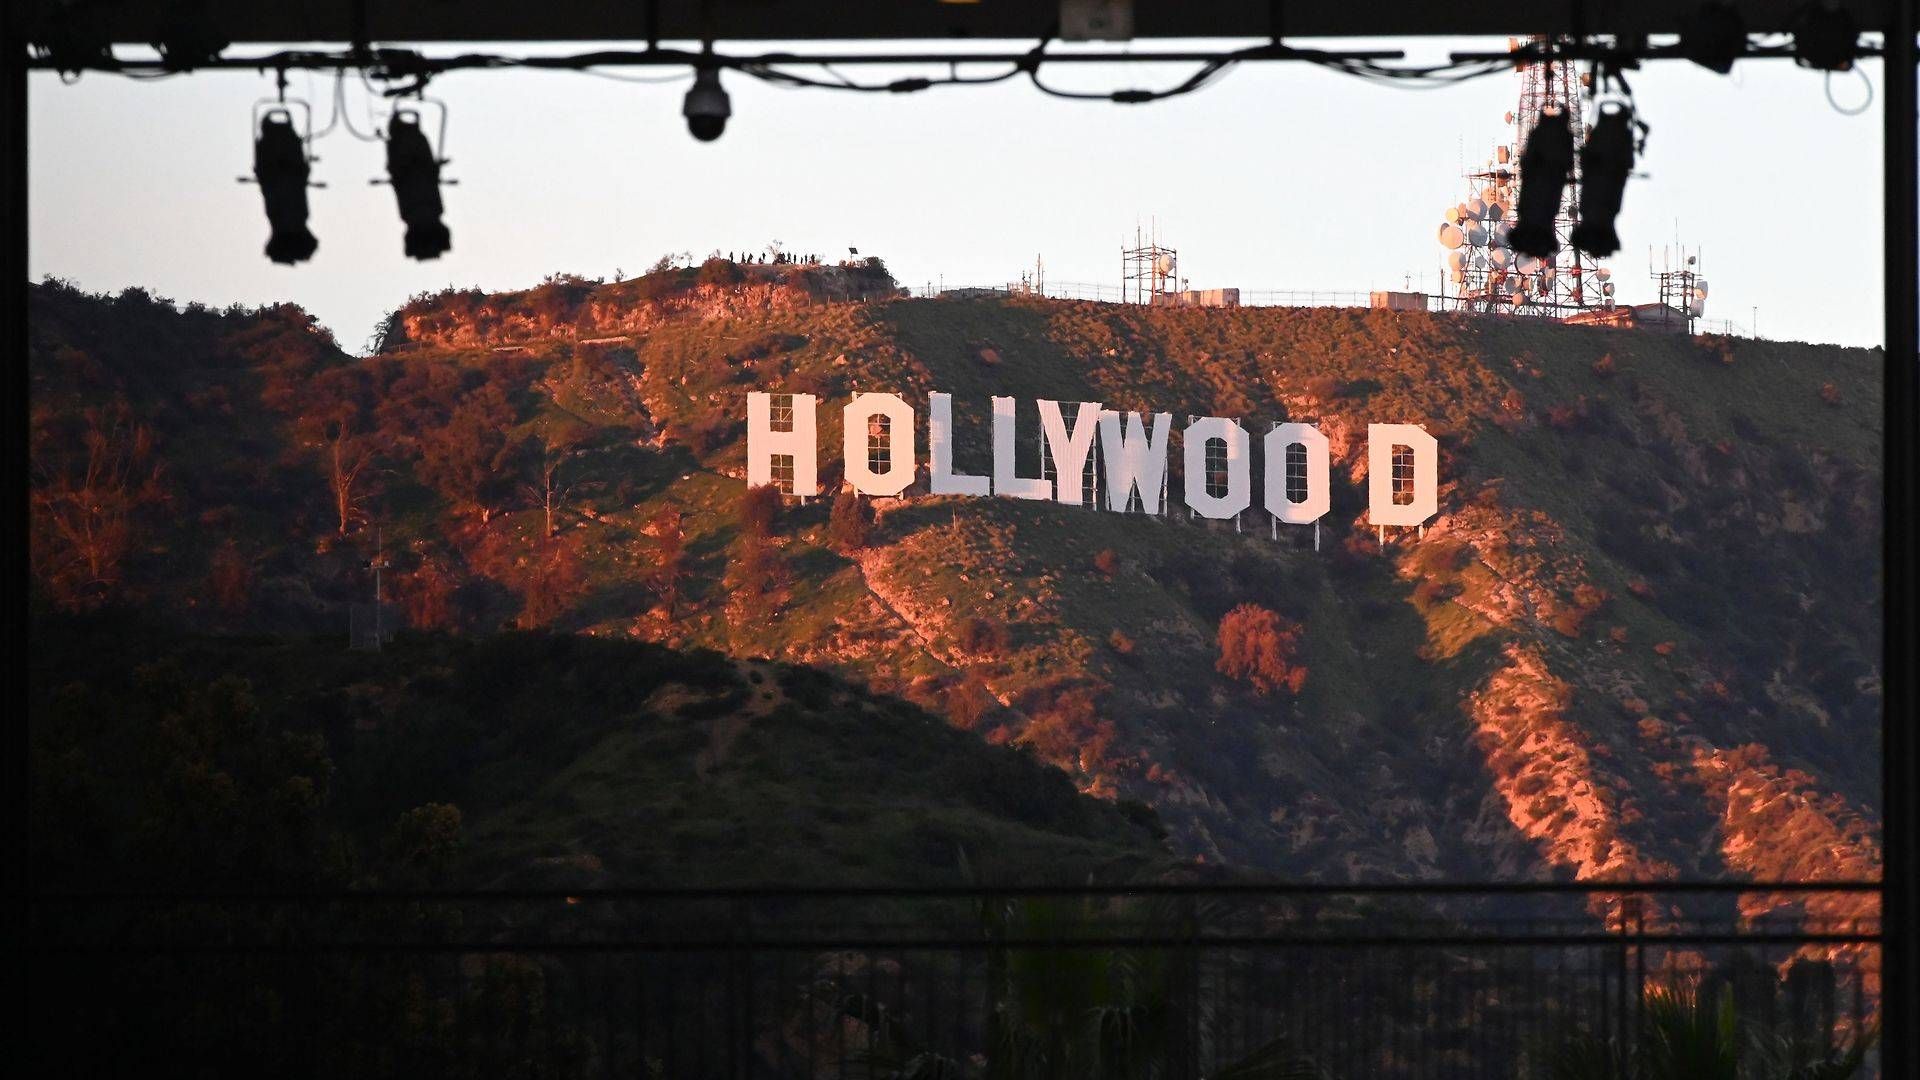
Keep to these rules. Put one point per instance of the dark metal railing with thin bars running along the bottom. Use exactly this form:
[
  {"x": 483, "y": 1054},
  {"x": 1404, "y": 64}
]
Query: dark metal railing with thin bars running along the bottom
[{"x": 1140, "y": 981}]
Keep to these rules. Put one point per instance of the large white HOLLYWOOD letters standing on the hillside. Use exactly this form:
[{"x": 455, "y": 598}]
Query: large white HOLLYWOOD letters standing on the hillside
[{"x": 1132, "y": 458}]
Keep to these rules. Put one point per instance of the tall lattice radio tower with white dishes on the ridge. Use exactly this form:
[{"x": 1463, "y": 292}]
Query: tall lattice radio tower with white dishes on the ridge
[{"x": 1485, "y": 274}]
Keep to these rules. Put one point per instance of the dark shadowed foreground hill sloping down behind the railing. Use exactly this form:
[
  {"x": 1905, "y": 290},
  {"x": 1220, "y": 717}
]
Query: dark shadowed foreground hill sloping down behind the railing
[{"x": 521, "y": 762}]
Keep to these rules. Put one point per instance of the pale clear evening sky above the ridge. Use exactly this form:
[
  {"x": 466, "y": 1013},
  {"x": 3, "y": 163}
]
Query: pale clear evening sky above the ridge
[{"x": 1278, "y": 176}]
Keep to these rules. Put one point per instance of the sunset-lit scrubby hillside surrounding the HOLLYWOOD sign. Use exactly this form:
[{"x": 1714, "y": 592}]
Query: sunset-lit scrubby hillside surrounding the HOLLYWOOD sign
[{"x": 1641, "y": 639}]
